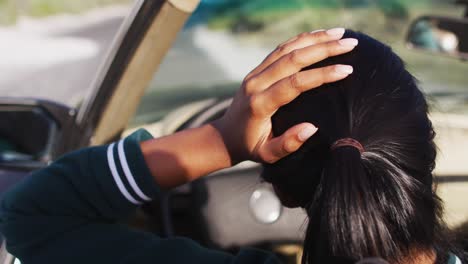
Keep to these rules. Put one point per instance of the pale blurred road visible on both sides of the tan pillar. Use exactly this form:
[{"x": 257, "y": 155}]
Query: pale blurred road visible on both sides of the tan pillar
[{"x": 57, "y": 58}]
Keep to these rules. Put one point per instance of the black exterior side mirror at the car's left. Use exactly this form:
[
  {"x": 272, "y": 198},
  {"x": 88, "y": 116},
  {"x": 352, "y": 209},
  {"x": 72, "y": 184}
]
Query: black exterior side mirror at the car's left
[{"x": 31, "y": 131}]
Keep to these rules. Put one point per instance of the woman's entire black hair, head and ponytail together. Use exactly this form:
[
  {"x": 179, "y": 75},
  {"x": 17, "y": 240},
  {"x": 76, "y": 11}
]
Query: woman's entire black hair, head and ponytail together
[{"x": 377, "y": 202}]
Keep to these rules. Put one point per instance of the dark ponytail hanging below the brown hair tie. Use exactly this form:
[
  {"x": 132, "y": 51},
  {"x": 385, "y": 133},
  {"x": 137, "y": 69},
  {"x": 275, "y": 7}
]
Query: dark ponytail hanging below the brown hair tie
[{"x": 359, "y": 202}]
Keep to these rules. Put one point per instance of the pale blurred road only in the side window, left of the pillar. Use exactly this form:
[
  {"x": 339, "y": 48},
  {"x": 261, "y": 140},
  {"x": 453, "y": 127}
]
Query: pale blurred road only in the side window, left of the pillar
[{"x": 55, "y": 58}]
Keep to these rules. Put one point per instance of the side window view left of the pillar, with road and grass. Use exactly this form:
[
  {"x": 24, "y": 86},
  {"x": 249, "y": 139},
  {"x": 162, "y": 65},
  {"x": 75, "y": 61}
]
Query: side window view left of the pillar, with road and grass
[{"x": 52, "y": 49}]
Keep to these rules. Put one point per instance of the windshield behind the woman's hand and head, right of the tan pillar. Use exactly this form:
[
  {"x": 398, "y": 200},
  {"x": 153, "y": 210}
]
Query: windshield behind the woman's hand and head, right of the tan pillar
[{"x": 225, "y": 39}]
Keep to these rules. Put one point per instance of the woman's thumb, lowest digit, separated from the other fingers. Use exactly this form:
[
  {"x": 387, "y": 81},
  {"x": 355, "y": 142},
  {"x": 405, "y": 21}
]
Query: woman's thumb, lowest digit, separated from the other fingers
[{"x": 279, "y": 147}]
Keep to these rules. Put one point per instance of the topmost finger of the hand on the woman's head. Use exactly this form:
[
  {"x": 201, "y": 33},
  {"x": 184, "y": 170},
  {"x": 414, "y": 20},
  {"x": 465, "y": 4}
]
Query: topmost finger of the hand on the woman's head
[{"x": 300, "y": 41}]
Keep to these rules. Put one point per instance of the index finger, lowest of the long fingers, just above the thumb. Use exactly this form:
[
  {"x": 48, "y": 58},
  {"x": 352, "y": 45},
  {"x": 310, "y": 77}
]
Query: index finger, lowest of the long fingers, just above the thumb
[{"x": 283, "y": 92}]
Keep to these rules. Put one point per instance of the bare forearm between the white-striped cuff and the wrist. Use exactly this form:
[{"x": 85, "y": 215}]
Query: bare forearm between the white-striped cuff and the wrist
[{"x": 185, "y": 156}]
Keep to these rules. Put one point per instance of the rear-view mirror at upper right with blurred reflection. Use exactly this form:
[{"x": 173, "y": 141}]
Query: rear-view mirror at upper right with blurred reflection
[{"x": 444, "y": 35}]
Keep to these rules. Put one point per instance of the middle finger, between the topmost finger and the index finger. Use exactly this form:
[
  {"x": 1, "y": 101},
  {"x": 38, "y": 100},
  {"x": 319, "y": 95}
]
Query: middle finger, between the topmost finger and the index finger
[{"x": 301, "y": 58}]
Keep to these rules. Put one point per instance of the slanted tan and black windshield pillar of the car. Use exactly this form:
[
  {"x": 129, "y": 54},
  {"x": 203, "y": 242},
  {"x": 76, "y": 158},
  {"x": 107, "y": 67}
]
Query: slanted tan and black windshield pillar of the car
[{"x": 143, "y": 40}]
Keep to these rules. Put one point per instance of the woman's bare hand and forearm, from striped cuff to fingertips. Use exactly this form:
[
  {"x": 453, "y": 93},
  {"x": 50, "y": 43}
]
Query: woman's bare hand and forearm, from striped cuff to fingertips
[{"x": 244, "y": 133}]
